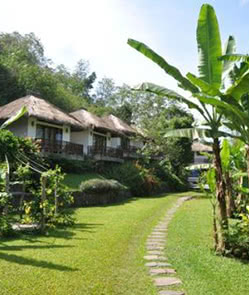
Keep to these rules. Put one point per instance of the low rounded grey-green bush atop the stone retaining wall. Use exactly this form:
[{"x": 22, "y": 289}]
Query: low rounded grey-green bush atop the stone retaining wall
[{"x": 101, "y": 186}]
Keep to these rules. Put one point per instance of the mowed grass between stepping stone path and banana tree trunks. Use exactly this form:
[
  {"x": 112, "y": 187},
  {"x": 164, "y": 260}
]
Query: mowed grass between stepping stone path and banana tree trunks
[{"x": 189, "y": 249}]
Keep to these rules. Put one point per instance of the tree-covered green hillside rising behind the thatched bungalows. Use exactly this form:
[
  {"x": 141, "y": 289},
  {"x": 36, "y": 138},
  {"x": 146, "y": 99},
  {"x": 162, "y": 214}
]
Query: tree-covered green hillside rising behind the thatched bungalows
[{"x": 25, "y": 70}]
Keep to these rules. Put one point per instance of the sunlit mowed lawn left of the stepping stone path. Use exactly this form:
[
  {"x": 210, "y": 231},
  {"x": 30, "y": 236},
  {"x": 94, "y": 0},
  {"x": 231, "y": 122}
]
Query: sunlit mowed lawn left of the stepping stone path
[{"x": 102, "y": 254}]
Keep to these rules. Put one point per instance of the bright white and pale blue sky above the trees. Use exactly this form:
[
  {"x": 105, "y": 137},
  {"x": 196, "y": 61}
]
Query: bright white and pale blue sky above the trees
[{"x": 97, "y": 31}]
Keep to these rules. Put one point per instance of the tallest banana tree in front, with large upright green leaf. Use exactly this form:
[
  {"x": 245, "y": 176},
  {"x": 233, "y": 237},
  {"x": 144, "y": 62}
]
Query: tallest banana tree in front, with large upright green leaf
[{"x": 209, "y": 84}]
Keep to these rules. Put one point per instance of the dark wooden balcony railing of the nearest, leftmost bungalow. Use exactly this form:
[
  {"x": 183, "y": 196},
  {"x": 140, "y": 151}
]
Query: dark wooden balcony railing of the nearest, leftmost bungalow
[{"x": 60, "y": 147}]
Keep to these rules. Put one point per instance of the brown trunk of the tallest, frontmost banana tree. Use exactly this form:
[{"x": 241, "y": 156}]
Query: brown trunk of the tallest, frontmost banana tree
[{"x": 220, "y": 197}]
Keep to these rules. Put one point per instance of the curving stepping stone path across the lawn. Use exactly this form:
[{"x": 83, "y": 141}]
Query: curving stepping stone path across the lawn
[{"x": 155, "y": 258}]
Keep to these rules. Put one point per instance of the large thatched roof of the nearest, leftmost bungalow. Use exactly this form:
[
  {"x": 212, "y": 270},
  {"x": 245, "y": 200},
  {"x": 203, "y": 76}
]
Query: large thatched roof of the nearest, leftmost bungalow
[{"x": 38, "y": 108}]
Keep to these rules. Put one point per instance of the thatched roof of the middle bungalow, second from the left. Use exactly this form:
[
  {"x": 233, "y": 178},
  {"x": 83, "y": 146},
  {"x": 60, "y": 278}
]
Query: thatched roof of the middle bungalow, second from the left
[{"x": 88, "y": 119}]
